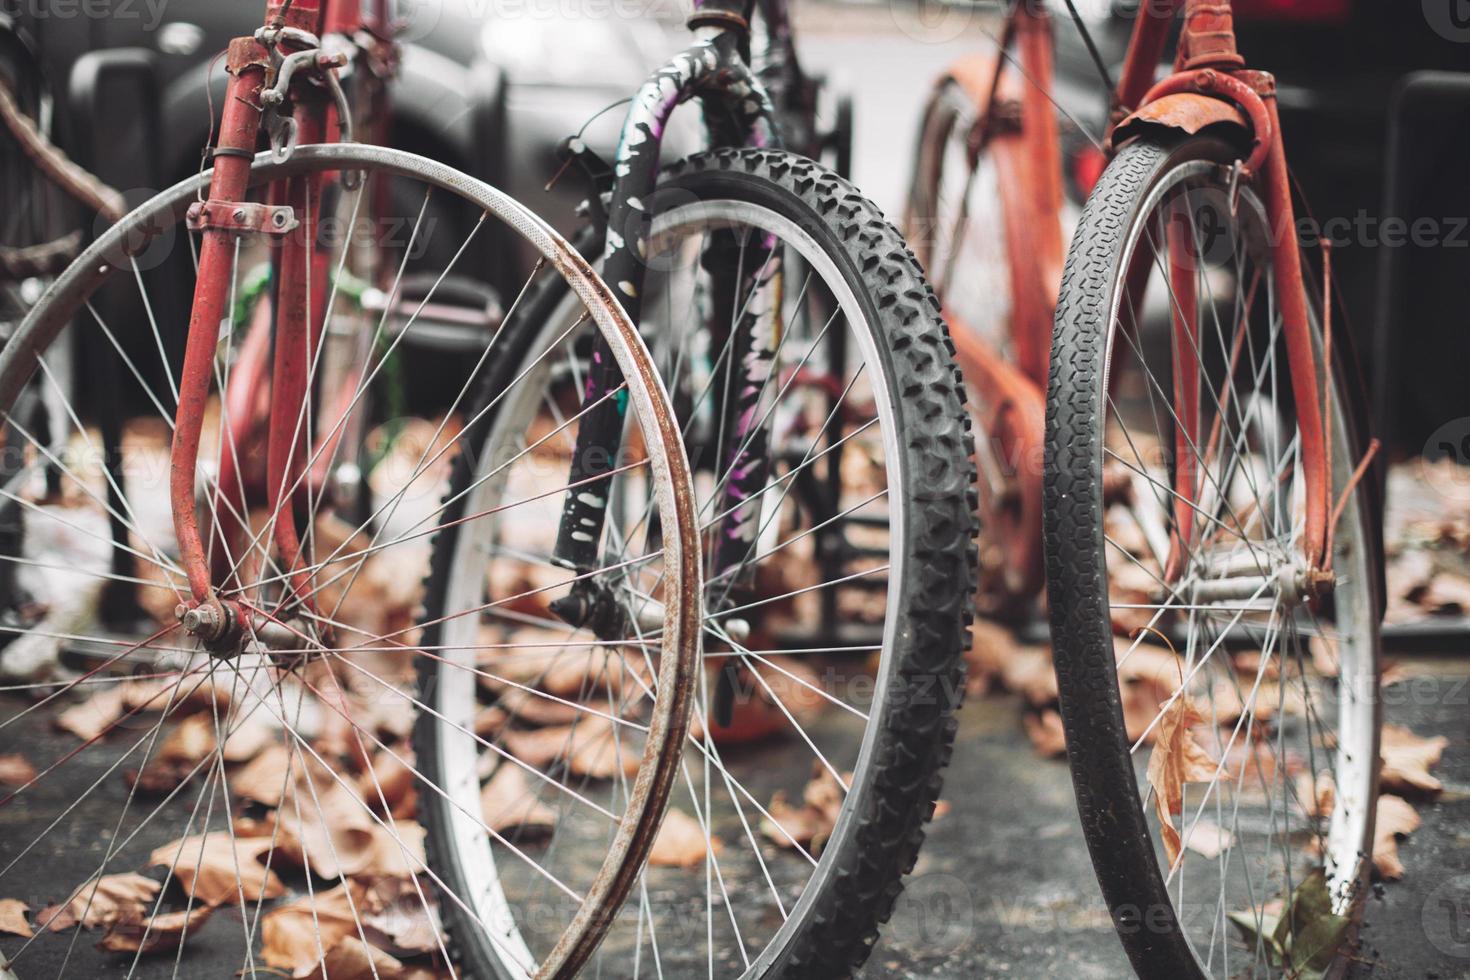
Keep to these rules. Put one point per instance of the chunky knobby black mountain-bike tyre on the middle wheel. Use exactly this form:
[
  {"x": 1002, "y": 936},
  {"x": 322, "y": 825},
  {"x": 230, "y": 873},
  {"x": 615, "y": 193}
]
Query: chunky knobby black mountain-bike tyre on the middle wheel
[{"x": 878, "y": 844}]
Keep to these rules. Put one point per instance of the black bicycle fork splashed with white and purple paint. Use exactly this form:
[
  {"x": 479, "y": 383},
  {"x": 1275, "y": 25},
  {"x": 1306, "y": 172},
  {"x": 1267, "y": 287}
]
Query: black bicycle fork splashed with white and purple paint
[{"x": 740, "y": 115}]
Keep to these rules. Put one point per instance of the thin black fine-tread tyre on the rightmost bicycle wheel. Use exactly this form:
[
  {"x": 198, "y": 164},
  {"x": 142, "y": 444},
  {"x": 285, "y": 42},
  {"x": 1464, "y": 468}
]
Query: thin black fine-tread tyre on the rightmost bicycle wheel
[{"x": 1099, "y": 749}]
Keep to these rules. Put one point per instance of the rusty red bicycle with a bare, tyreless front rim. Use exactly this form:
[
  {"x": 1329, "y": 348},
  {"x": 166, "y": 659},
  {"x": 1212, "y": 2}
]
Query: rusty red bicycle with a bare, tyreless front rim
[{"x": 290, "y": 628}]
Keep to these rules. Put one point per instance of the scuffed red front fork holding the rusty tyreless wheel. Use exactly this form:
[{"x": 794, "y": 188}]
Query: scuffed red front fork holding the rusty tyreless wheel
[{"x": 301, "y": 286}]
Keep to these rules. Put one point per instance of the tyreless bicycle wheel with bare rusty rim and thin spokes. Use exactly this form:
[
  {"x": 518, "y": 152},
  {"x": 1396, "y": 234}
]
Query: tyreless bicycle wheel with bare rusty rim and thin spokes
[{"x": 277, "y": 775}]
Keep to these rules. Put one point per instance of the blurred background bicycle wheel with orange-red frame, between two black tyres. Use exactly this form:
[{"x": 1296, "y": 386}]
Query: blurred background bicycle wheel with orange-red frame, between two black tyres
[{"x": 969, "y": 217}]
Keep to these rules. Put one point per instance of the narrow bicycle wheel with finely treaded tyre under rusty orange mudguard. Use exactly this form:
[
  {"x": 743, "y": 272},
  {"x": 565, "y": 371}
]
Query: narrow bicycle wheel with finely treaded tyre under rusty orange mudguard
[{"x": 1199, "y": 682}]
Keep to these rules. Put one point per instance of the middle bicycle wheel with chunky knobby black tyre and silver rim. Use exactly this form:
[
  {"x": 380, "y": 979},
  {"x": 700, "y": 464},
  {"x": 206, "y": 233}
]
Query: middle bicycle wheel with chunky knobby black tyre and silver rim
[{"x": 834, "y": 637}]
